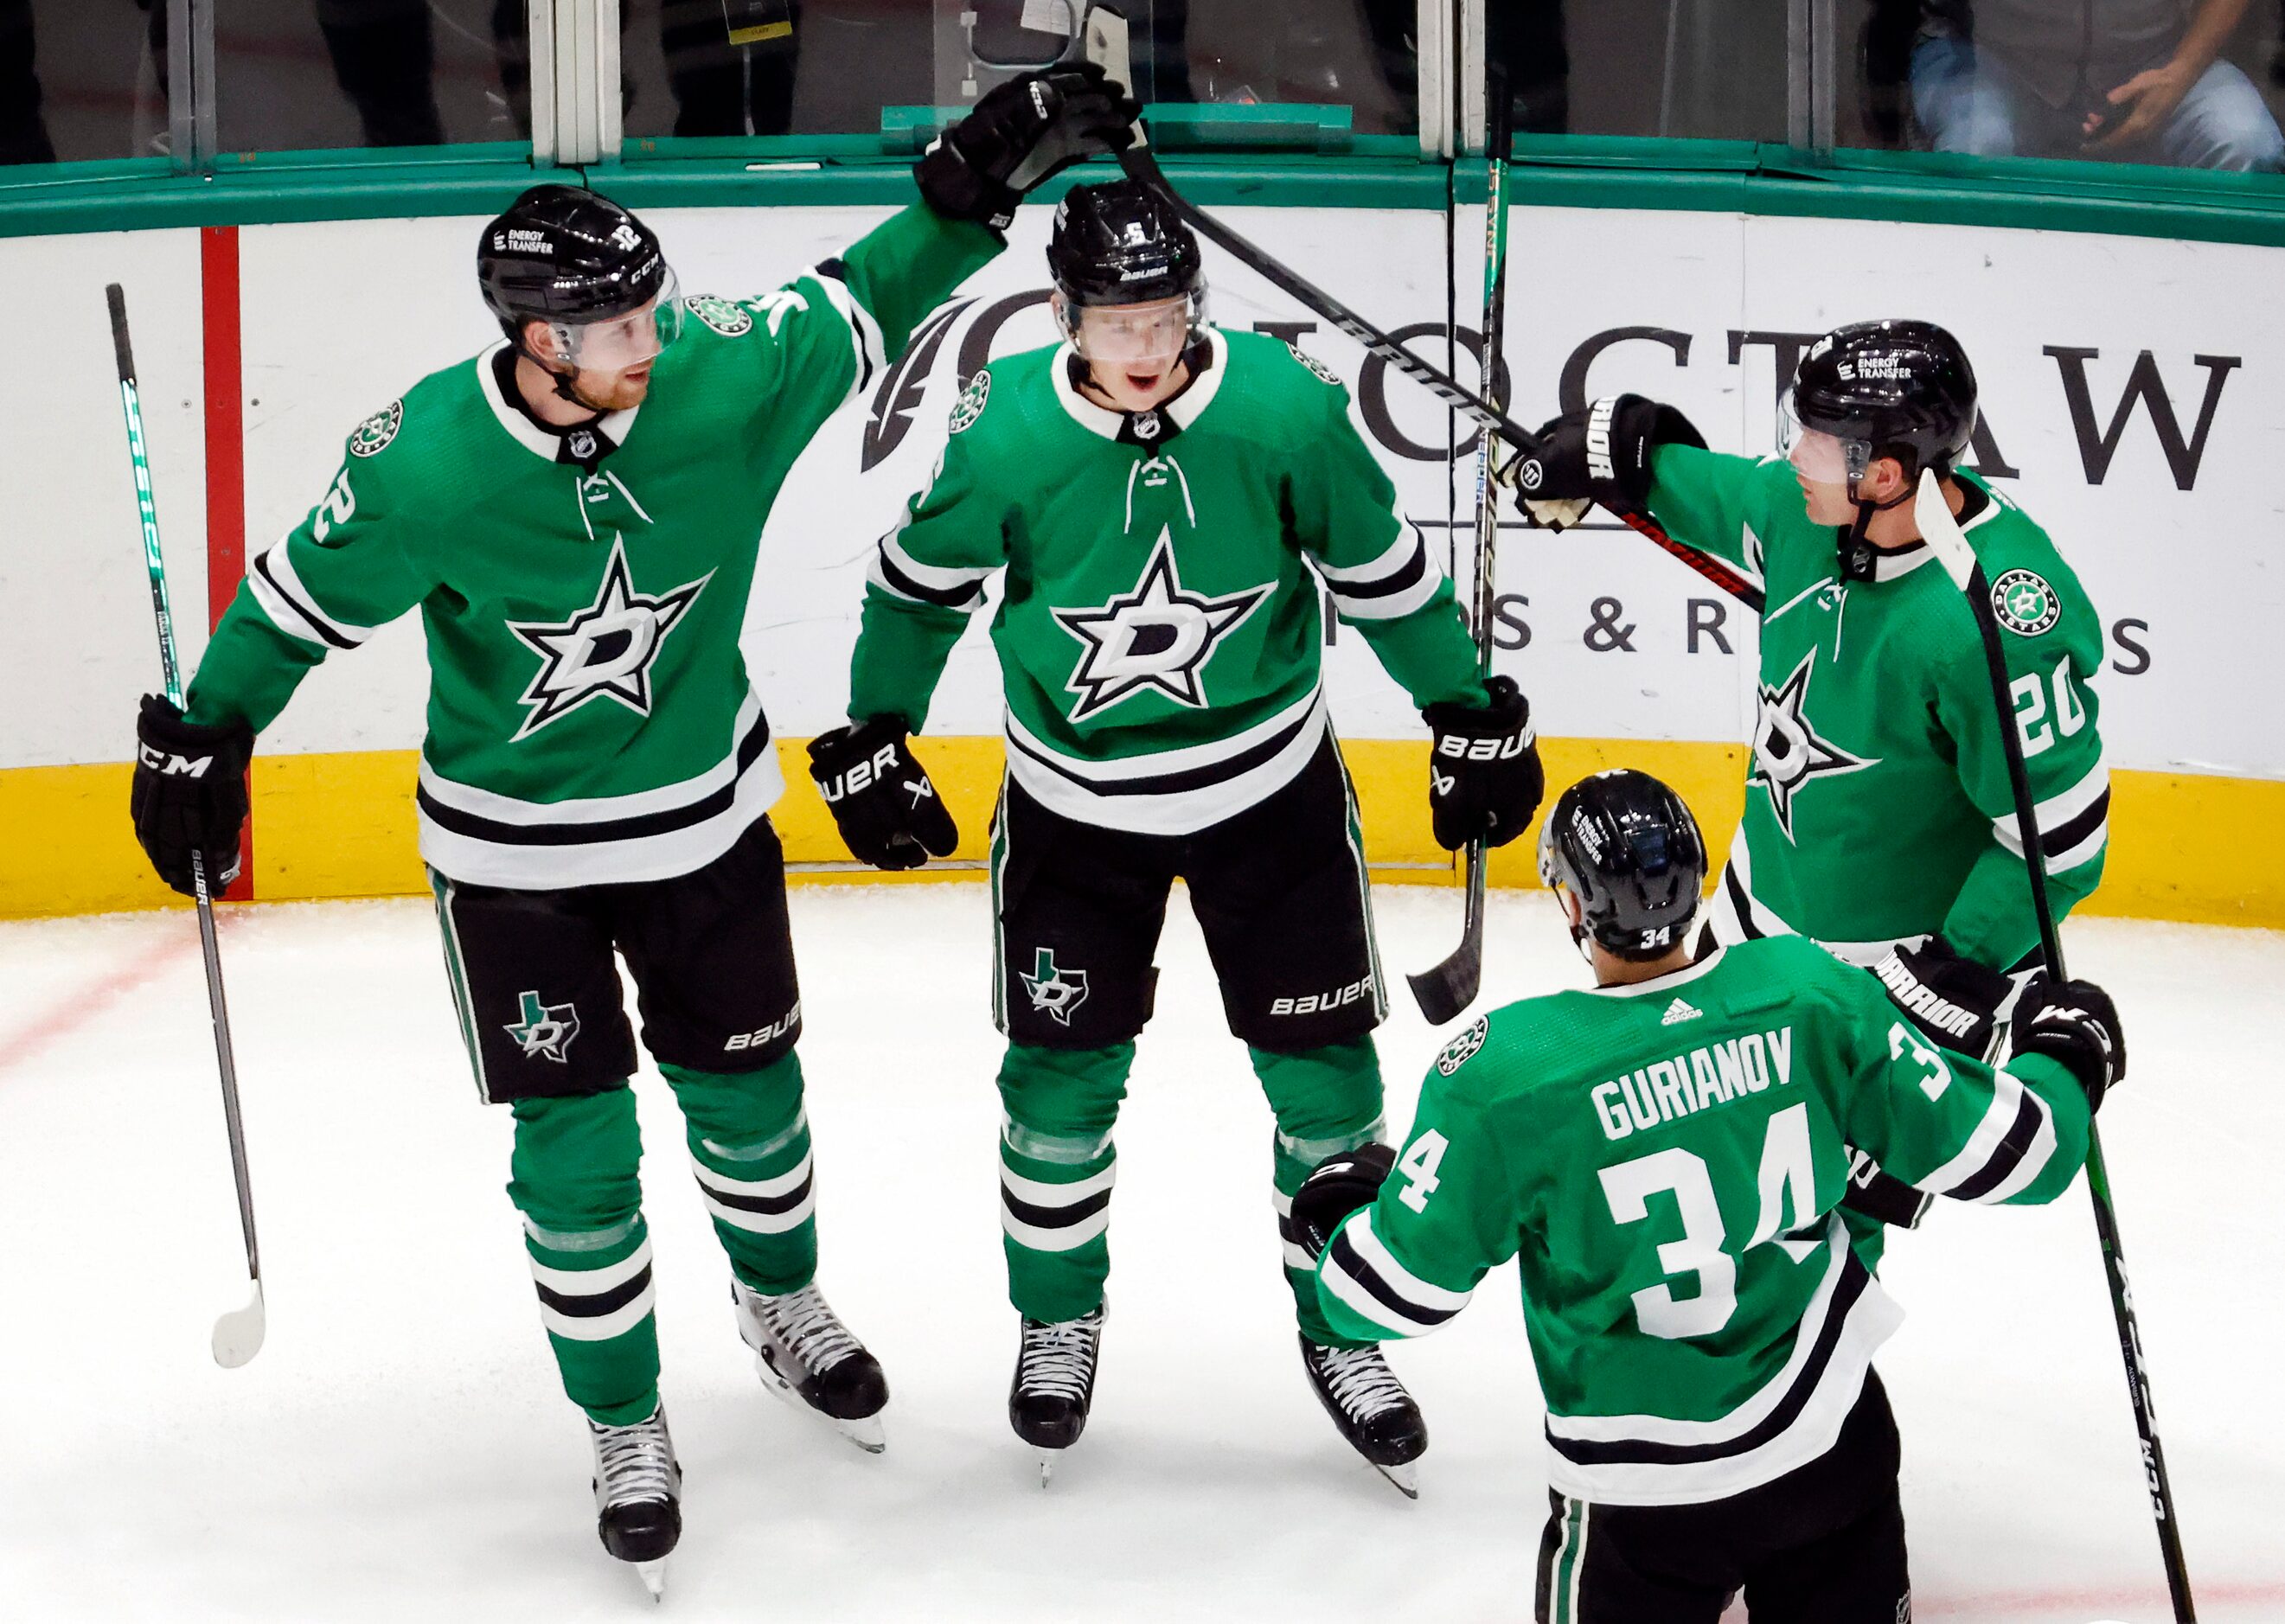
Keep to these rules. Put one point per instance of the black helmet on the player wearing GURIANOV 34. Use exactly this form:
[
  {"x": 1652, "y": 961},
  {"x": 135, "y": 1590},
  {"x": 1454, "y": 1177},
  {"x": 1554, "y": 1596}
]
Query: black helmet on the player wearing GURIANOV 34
[{"x": 1630, "y": 851}]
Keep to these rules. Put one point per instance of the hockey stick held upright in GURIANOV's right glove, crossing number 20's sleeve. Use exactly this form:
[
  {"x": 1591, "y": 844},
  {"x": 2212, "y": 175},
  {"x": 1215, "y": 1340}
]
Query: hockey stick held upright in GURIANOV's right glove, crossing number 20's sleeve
[{"x": 1959, "y": 561}]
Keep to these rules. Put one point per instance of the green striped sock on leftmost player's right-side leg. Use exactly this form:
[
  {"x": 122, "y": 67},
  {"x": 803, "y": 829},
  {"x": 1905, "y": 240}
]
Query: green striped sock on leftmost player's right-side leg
[{"x": 751, "y": 1152}]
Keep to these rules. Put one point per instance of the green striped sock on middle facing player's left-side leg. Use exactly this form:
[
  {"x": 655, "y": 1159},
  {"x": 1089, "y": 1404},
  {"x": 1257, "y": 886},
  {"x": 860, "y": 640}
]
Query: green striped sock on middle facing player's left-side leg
[{"x": 1057, "y": 1171}]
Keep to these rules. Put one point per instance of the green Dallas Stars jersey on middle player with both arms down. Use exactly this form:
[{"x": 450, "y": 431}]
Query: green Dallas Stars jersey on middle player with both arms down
[{"x": 1160, "y": 629}]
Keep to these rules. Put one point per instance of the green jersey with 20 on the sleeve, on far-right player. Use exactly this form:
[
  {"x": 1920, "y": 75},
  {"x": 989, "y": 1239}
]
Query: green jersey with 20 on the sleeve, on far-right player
[{"x": 1877, "y": 805}]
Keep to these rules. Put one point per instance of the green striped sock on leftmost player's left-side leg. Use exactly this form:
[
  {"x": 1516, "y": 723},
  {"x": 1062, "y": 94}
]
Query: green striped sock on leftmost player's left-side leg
[{"x": 577, "y": 1187}]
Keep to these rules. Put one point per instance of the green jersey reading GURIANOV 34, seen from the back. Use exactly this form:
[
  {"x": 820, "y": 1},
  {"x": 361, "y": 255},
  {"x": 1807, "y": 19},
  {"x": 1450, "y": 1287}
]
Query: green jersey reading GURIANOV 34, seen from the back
[{"x": 1665, "y": 1164}]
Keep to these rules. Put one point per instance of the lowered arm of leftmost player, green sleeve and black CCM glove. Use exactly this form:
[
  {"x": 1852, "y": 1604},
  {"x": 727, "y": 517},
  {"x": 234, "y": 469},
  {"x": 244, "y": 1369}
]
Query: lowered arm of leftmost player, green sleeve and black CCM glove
[{"x": 330, "y": 584}]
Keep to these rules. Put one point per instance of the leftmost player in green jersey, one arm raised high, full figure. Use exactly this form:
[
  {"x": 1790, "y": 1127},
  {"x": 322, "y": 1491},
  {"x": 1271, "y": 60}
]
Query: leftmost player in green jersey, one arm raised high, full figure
[{"x": 577, "y": 515}]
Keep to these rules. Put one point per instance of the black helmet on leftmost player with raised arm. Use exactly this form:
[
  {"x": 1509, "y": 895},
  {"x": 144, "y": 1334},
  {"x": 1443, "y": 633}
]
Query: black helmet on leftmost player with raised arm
[{"x": 570, "y": 257}]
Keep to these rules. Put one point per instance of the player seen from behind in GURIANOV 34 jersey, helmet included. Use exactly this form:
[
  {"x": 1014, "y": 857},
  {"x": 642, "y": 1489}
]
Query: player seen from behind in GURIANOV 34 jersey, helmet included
[{"x": 1665, "y": 1157}]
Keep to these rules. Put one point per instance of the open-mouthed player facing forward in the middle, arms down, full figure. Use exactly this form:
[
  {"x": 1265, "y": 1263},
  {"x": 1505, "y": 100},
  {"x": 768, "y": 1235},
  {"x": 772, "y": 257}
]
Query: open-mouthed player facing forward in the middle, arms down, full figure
[{"x": 1162, "y": 501}]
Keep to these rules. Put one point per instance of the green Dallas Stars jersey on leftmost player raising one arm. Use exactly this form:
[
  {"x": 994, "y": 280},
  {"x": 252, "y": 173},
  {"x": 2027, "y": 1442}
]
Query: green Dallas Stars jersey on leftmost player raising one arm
[{"x": 591, "y": 716}]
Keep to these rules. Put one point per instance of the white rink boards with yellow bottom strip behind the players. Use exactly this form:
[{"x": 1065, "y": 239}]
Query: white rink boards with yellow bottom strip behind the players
[{"x": 2131, "y": 387}]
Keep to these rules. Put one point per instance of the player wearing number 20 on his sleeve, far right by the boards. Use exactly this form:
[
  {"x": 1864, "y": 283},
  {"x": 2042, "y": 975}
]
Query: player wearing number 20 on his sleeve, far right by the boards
[{"x": 1879, "y": 817}]
